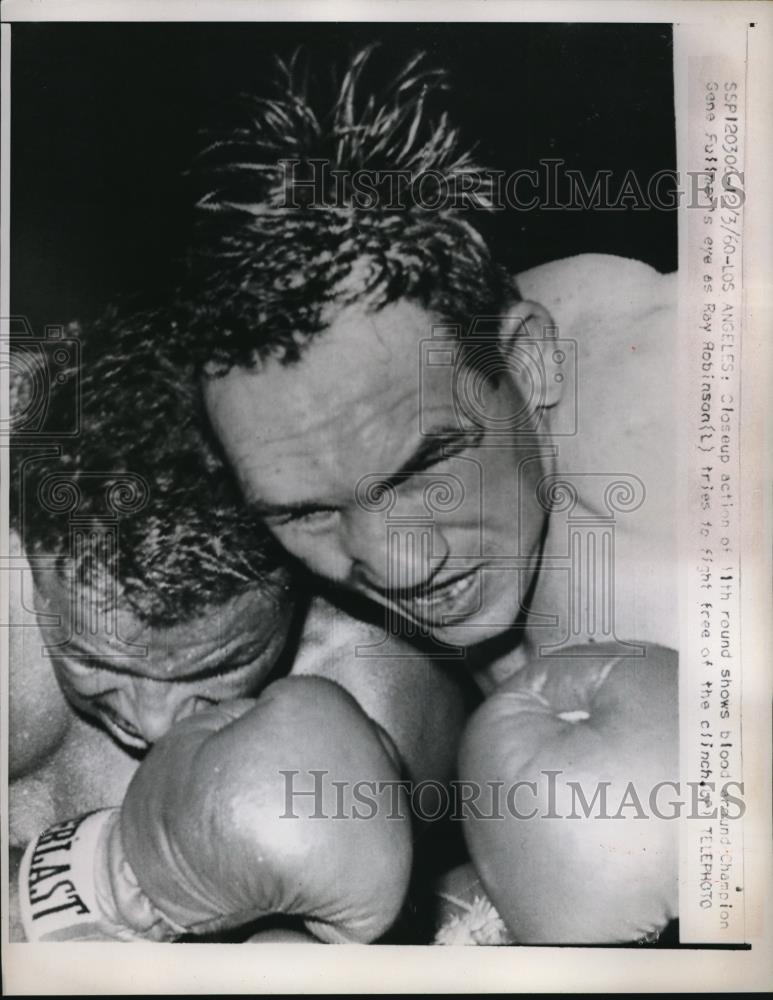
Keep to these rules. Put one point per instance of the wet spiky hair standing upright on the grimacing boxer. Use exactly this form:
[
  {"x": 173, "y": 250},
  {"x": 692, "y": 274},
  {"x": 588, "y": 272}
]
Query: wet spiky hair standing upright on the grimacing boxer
[{"x": 276, "y": 257}]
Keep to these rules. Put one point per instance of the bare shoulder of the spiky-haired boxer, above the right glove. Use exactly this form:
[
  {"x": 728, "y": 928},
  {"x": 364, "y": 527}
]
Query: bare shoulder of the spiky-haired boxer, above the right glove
[{"x": 622, "y": 317}]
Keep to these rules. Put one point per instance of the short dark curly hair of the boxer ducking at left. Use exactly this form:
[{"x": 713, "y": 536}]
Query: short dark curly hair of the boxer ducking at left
[{"x": 142, "y": 459}]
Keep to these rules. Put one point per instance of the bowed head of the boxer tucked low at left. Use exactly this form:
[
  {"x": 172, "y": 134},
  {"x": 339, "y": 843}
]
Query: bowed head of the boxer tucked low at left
[{"x": 157, "y": 594}]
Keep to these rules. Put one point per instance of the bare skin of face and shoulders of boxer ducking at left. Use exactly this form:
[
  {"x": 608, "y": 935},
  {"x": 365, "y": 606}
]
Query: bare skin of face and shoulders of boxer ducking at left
[{"x": 65, "y": 762}]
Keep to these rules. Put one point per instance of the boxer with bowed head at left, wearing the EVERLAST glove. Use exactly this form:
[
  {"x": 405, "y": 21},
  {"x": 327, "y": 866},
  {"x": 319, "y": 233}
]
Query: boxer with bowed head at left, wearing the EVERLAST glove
[{"x": 150, "y": 605}]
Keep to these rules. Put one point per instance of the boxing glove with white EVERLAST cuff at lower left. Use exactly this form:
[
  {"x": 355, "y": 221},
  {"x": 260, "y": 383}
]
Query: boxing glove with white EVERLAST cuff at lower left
[{"x": 284, "y": 805}]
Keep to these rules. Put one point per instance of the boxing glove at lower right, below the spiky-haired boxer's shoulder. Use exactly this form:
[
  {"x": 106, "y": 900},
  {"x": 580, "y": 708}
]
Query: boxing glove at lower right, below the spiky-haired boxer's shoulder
[{"x": 574, "y": 837}]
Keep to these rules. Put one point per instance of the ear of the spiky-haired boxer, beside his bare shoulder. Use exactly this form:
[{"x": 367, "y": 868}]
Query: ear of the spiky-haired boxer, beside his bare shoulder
[{"x": 526, "y": 340}]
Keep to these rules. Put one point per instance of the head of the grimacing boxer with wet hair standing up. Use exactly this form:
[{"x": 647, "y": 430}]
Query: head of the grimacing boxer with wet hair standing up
[{"x": 365, "y": 360}]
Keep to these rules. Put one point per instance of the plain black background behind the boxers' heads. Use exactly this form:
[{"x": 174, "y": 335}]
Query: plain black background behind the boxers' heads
[{"x": 106, "y": 117}]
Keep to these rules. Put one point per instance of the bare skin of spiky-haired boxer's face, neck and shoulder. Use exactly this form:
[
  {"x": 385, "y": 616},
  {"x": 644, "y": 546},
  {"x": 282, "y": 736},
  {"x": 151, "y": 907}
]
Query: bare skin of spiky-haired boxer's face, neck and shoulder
[{"x": 338, "y": 450}]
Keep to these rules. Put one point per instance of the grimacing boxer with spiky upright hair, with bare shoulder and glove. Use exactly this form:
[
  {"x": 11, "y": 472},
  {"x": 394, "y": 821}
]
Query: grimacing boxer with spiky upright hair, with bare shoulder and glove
[{"x": 354, "y": 348}]
